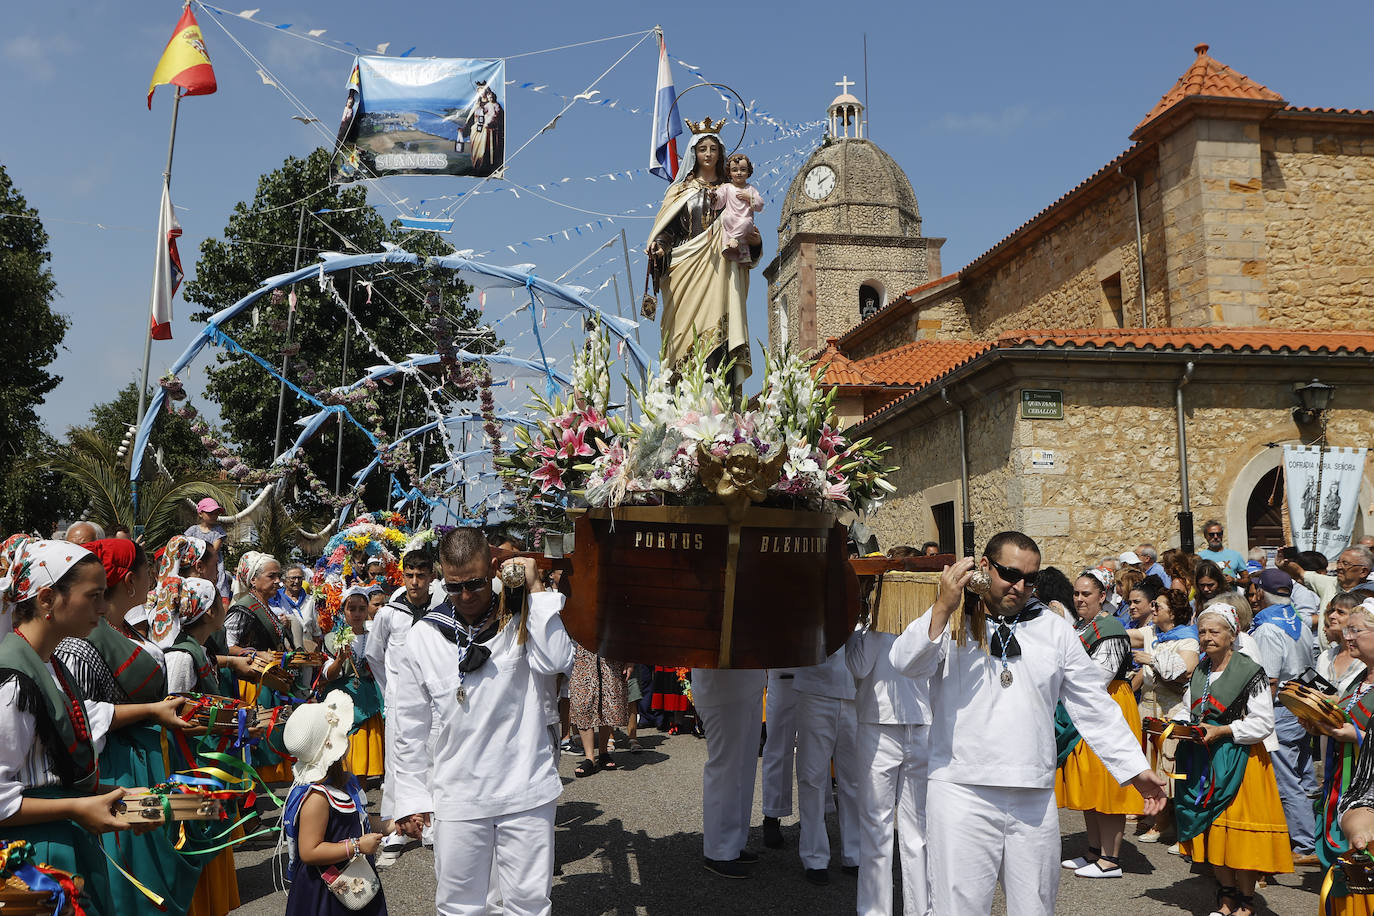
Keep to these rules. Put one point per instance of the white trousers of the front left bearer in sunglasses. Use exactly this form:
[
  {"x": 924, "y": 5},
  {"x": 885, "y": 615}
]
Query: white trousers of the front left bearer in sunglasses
[{"x": 523, "y": 847}]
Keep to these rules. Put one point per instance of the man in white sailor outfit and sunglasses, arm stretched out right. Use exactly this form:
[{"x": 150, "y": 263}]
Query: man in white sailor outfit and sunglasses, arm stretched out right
[{"x": 995, "y": 682}]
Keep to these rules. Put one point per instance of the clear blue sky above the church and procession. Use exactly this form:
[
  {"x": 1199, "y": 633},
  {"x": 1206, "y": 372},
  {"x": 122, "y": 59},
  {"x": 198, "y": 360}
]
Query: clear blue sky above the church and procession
[{"x": 994, "y": 111}]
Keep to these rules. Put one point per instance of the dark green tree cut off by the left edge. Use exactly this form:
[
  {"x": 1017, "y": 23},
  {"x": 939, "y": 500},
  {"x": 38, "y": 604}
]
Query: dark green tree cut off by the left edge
[{"x": 36, "y": 332}]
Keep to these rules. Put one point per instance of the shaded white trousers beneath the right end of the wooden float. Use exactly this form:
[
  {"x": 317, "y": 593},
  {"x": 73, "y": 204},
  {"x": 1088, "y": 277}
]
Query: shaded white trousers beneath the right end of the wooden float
[{"x": 828, "y": 733}]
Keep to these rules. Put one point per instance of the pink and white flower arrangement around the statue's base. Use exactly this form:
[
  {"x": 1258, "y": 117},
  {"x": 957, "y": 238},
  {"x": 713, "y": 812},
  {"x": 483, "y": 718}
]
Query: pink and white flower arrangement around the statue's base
[{"x": 693, "y": 446}]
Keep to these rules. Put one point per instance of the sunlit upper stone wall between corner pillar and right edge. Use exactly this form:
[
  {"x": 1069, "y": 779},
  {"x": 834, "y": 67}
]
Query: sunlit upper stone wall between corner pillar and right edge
[{"x": 1320, "y": 229}]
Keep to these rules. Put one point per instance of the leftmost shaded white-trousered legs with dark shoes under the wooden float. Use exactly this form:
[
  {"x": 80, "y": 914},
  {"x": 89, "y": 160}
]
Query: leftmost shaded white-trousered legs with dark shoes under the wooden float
[{"x": 732, "y": 708}]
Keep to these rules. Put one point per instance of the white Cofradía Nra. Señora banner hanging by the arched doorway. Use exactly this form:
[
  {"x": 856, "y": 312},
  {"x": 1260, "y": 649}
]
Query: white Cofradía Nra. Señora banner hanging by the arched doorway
[{"x": 1324, "y": 492}]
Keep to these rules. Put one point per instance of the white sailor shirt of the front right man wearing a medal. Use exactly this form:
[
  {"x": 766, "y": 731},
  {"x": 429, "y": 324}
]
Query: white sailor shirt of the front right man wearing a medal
[{"x": 983, "y": 734}]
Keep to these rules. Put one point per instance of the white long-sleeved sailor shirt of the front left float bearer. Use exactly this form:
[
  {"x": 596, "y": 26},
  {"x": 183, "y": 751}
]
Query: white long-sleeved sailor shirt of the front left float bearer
[{"x": 491, "y": 752}]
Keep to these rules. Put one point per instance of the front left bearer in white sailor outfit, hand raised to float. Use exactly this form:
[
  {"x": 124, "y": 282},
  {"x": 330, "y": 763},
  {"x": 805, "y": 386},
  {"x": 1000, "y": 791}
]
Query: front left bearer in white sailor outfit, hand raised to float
[{"x": 482, "y": 675}]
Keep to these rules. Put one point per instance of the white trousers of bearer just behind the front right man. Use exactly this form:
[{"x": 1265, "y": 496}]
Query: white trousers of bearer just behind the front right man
[{"x": 892, "y": 788}]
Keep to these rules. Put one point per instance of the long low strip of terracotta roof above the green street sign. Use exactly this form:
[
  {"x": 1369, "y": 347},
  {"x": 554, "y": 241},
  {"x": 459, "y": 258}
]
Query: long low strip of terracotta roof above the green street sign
[{"x": 1261, "y": 340}]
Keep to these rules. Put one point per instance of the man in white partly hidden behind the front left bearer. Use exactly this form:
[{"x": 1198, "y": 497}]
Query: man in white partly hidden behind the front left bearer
[{"x": 385, "y": 646}]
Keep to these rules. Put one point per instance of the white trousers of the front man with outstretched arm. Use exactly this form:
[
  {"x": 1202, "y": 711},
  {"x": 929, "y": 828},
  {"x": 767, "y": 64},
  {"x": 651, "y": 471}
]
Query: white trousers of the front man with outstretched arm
[{"x": 982, "y": 834}]
